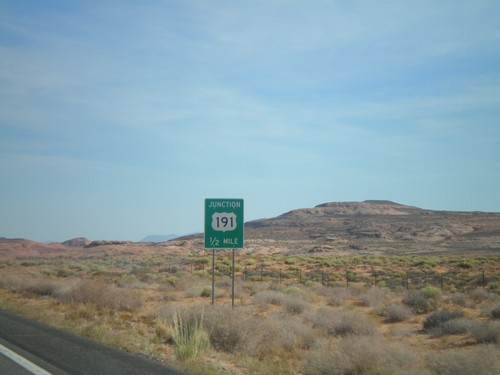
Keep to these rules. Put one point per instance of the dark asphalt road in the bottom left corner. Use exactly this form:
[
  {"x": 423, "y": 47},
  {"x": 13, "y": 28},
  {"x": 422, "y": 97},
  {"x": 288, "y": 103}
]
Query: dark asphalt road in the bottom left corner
[{"x": 62, "y": 353}]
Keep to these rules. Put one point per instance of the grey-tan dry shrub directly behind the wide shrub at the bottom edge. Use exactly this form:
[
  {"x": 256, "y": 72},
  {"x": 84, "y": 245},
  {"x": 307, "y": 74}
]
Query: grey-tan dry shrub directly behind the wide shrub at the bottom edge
[{"x": 342, "y": 322}]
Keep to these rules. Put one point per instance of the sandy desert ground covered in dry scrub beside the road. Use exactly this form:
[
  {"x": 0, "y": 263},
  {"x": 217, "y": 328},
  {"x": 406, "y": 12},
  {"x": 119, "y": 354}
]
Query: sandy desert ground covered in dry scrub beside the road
[{"x": 298, "y": 314}]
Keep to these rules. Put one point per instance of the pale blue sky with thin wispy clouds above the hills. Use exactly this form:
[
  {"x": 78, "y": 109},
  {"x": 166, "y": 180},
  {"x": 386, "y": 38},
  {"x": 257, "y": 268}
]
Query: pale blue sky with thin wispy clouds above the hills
[{"x": 118, "y": 118}]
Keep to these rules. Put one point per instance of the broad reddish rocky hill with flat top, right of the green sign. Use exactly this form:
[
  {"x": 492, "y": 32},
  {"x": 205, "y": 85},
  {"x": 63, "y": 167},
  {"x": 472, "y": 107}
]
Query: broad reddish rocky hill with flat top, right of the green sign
[{"x": 377, "y": 227}]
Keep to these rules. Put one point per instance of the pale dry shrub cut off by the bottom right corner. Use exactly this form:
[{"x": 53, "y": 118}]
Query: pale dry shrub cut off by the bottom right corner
[{"x": 480, "y": 361}]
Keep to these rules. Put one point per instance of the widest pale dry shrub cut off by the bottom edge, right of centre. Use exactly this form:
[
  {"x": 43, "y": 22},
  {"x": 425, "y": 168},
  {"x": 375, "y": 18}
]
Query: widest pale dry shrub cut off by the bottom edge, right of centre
[{"x": 361, "y": 356}]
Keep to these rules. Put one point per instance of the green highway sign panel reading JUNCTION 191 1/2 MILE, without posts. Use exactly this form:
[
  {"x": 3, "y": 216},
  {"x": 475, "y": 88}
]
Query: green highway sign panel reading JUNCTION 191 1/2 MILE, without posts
[{"x": 223, "y": 223}]
